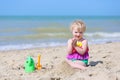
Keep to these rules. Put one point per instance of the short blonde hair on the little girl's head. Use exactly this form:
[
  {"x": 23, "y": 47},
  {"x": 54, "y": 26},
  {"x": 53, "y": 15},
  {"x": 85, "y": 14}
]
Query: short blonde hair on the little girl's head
[{"x": 79, "y": 25}]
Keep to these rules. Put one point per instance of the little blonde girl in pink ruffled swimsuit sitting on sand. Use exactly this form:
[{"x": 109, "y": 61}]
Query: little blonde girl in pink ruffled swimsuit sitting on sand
[{"x": 77, "y": 55}]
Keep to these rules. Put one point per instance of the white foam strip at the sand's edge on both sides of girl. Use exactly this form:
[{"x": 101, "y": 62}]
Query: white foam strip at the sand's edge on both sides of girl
[{"x": 15, "y": 47}]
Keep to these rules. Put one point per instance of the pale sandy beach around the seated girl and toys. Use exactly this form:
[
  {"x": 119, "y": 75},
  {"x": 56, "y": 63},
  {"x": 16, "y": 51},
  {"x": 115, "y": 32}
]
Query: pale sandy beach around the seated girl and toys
[{"x": 104, "y": 64}]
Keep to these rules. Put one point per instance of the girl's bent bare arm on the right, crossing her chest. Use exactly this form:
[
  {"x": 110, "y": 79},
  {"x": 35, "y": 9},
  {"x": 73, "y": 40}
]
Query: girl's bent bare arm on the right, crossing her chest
[{"x": 83, "y": 49}]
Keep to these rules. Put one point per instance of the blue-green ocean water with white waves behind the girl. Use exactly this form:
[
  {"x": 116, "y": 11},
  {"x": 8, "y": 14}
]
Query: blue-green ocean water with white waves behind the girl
[{"x": 25, "y": 32}]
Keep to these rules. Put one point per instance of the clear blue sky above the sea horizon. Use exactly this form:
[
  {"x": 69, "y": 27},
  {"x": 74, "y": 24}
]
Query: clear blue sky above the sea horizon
[{"x": 60, "y": 7}]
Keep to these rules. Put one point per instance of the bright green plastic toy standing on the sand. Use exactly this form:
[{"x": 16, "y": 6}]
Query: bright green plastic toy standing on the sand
[{"x": 29, "y": 65}]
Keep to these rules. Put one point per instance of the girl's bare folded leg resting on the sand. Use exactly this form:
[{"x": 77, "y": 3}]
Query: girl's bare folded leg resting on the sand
[{"x": 76, "y": 64}]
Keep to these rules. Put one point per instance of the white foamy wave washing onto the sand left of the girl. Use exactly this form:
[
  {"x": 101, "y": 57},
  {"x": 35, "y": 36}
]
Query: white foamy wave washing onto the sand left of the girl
[{"x": 30, "y": 46}]
